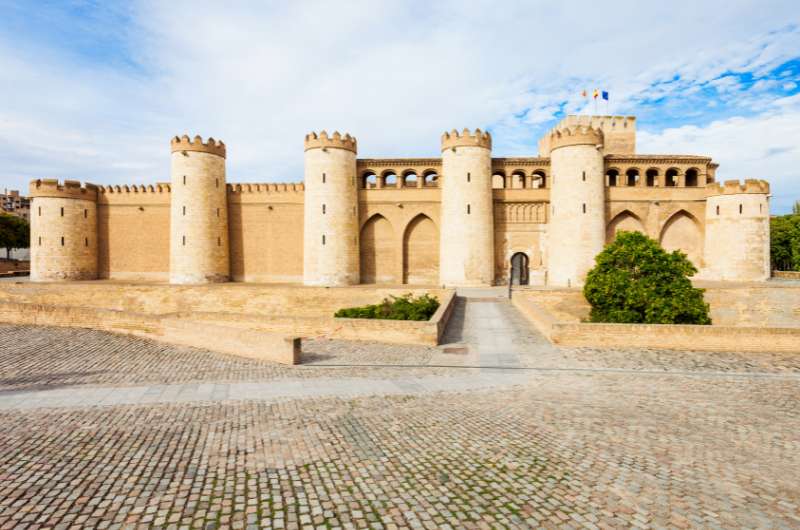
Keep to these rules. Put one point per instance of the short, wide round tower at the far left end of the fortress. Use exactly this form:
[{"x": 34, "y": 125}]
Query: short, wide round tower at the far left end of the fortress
[{"x": 63, "y": 231}]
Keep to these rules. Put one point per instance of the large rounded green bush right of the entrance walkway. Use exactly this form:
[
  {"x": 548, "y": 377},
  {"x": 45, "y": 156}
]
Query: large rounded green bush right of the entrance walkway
[{"x": 636, "y": 281}]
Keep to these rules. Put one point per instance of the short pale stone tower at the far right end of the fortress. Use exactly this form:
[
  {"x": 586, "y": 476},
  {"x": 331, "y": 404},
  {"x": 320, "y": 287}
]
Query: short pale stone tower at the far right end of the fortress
[{"x": 737, "y": 231}]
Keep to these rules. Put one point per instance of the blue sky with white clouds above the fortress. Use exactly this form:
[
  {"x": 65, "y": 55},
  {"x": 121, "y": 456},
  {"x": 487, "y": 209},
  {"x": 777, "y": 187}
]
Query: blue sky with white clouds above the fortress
[{"x": 94, "y": 90}]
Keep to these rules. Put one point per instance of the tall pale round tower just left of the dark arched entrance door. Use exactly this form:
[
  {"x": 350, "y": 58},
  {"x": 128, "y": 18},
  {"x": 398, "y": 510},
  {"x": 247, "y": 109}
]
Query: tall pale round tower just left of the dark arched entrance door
[{"x": 466, "y": 248}]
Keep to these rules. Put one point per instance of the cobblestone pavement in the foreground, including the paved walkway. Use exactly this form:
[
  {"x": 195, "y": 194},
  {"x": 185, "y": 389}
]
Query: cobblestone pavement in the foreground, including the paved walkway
[{"x": 370, "y": 435}]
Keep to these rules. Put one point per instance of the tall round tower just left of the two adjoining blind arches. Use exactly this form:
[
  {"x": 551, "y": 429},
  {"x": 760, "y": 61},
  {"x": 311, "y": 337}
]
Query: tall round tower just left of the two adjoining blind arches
[{"x": 330, "y": 229}]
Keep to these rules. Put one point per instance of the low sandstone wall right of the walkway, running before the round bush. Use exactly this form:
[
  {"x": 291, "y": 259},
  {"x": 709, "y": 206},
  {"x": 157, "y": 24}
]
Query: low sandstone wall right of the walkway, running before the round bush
[{"x": 573, "y": 332}]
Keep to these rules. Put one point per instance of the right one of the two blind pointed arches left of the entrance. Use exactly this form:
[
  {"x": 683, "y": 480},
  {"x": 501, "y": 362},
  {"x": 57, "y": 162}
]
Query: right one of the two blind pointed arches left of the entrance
[{"x": 421, "y": 251}]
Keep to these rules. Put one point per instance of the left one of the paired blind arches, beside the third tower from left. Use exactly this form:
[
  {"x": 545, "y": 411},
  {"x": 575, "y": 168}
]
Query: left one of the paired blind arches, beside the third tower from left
[{"x": 377, "y": 251}]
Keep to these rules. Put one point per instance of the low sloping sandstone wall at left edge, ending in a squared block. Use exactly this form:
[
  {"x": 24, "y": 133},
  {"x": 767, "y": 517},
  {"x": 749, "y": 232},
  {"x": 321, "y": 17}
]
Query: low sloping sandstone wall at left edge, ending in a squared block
[{"x": 224, "y": 339}]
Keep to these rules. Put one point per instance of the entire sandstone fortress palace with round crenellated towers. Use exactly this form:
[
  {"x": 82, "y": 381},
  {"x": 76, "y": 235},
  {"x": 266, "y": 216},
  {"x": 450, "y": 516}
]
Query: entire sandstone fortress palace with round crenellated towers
[{"x": 464, "y": 219}]
